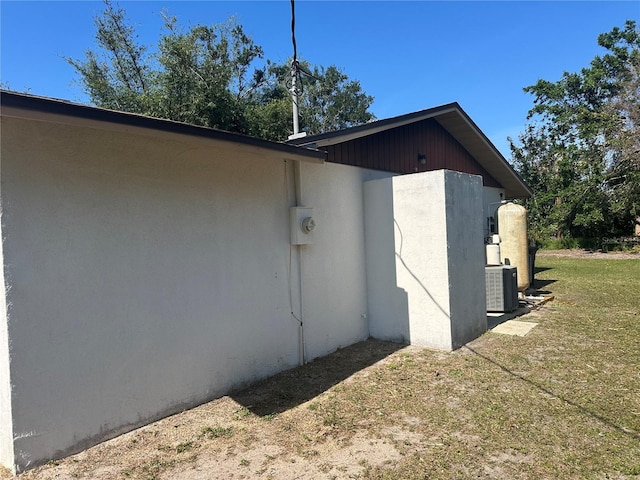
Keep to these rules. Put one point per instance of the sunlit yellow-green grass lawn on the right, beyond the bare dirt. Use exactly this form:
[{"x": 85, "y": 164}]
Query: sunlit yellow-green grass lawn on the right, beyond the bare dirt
[{"x": 563, "y": 402}]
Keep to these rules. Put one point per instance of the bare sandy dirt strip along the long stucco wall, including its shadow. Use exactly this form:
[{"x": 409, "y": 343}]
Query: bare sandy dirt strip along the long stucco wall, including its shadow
[{"x": 278, "y": 429}]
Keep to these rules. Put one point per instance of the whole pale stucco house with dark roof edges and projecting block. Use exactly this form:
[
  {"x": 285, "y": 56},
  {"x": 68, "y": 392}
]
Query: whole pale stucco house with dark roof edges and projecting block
[{"x": 149, "y": 265}]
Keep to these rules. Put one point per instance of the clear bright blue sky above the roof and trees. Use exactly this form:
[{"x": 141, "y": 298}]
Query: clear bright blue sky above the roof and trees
[{"x": 408, "y": 55}]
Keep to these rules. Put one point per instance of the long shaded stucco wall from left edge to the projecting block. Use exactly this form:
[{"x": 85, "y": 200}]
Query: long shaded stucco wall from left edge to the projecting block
[{"x": 147, "y": 276}]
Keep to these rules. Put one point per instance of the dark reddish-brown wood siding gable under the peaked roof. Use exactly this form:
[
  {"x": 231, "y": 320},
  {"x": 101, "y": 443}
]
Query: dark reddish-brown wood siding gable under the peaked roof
[{"x": 397, "y": 150}]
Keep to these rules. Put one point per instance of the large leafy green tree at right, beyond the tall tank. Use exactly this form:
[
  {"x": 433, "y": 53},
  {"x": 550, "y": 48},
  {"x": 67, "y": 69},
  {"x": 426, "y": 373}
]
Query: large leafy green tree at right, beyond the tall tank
[{"x": 580, "y": 151}]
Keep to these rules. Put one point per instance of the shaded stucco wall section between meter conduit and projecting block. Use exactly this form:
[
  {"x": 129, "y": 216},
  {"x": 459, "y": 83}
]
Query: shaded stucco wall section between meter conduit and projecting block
[{"x": 333, "y": 266}]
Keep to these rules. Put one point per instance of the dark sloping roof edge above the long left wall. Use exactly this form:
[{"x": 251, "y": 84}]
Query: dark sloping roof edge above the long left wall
[{"x": 66, "y": 113}]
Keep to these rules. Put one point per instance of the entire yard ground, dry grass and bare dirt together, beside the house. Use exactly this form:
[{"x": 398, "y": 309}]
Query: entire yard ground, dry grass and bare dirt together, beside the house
[{"x": 561, "y": 402}]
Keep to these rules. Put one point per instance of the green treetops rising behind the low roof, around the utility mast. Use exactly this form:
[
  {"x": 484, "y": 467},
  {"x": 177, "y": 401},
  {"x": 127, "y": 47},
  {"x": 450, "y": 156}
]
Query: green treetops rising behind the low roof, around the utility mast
[{"x": 213, "y": 76}]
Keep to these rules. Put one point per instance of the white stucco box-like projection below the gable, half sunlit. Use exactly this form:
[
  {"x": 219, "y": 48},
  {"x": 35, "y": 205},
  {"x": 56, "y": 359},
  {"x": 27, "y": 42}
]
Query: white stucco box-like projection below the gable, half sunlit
[{"x": 414, "y": 224}]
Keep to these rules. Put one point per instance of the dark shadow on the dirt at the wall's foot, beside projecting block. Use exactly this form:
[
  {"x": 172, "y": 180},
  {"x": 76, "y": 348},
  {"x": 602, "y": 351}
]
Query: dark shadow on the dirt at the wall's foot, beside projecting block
[{"x": 296, "y": 386}]
